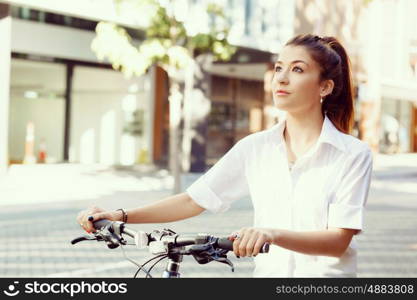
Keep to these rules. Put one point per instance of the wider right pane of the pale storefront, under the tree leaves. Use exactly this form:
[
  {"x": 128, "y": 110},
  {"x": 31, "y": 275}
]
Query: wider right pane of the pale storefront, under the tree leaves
[{"x": 110, "y": 118}]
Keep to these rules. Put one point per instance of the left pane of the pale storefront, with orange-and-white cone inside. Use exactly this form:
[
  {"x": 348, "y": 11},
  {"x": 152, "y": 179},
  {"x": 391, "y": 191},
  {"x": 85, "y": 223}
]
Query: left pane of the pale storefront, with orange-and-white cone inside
[{"x": 37, "y": 108}]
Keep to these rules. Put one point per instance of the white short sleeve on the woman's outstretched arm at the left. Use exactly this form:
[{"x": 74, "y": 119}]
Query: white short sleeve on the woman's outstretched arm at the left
[{"x": 224, "y": 183}]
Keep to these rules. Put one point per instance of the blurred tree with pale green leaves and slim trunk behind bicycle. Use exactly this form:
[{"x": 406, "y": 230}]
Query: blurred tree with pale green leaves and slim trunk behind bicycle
[{"x": 181, "y": 49}]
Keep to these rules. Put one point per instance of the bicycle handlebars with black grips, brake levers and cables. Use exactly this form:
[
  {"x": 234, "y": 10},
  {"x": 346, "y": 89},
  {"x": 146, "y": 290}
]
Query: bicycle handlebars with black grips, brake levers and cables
[{"x": 164, "y": 244}]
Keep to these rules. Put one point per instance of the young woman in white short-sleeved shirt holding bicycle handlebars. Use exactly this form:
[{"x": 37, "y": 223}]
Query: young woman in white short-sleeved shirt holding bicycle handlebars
[{"x": 307, "y": 177}]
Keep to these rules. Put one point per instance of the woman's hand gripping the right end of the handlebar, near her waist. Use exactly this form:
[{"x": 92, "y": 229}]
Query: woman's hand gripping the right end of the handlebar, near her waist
[{"x": 249, "y": 241}]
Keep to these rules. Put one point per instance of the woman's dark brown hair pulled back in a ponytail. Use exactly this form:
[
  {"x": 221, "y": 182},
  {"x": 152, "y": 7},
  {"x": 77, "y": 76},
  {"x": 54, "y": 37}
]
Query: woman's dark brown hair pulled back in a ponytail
[{"x": 335, "y": 65}]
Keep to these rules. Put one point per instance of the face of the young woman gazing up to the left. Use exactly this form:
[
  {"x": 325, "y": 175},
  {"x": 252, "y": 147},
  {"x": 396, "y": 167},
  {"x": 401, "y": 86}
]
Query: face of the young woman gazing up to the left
[{"x": 297, "y": 74}]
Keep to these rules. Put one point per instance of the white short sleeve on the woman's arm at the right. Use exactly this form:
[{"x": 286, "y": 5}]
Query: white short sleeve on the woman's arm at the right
[{"x": 347, "y": 208}]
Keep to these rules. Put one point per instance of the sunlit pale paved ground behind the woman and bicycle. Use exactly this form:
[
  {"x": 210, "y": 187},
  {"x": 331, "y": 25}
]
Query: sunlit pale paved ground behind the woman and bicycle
[{"x": 38, "y": 205}]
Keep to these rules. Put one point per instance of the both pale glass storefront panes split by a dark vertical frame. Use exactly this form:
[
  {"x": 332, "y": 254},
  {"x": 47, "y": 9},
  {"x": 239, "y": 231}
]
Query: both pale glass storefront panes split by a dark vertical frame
[{"x": 109, "y": 115}]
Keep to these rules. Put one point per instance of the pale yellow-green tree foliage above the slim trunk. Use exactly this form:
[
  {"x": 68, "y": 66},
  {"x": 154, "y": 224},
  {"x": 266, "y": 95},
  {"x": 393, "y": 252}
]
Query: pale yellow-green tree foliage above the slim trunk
[{"x": 167, "y": 41}]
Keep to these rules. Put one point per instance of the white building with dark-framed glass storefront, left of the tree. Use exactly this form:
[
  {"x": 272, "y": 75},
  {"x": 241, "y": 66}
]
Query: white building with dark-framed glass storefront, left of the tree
[{"x": 62, "y": 103}]
